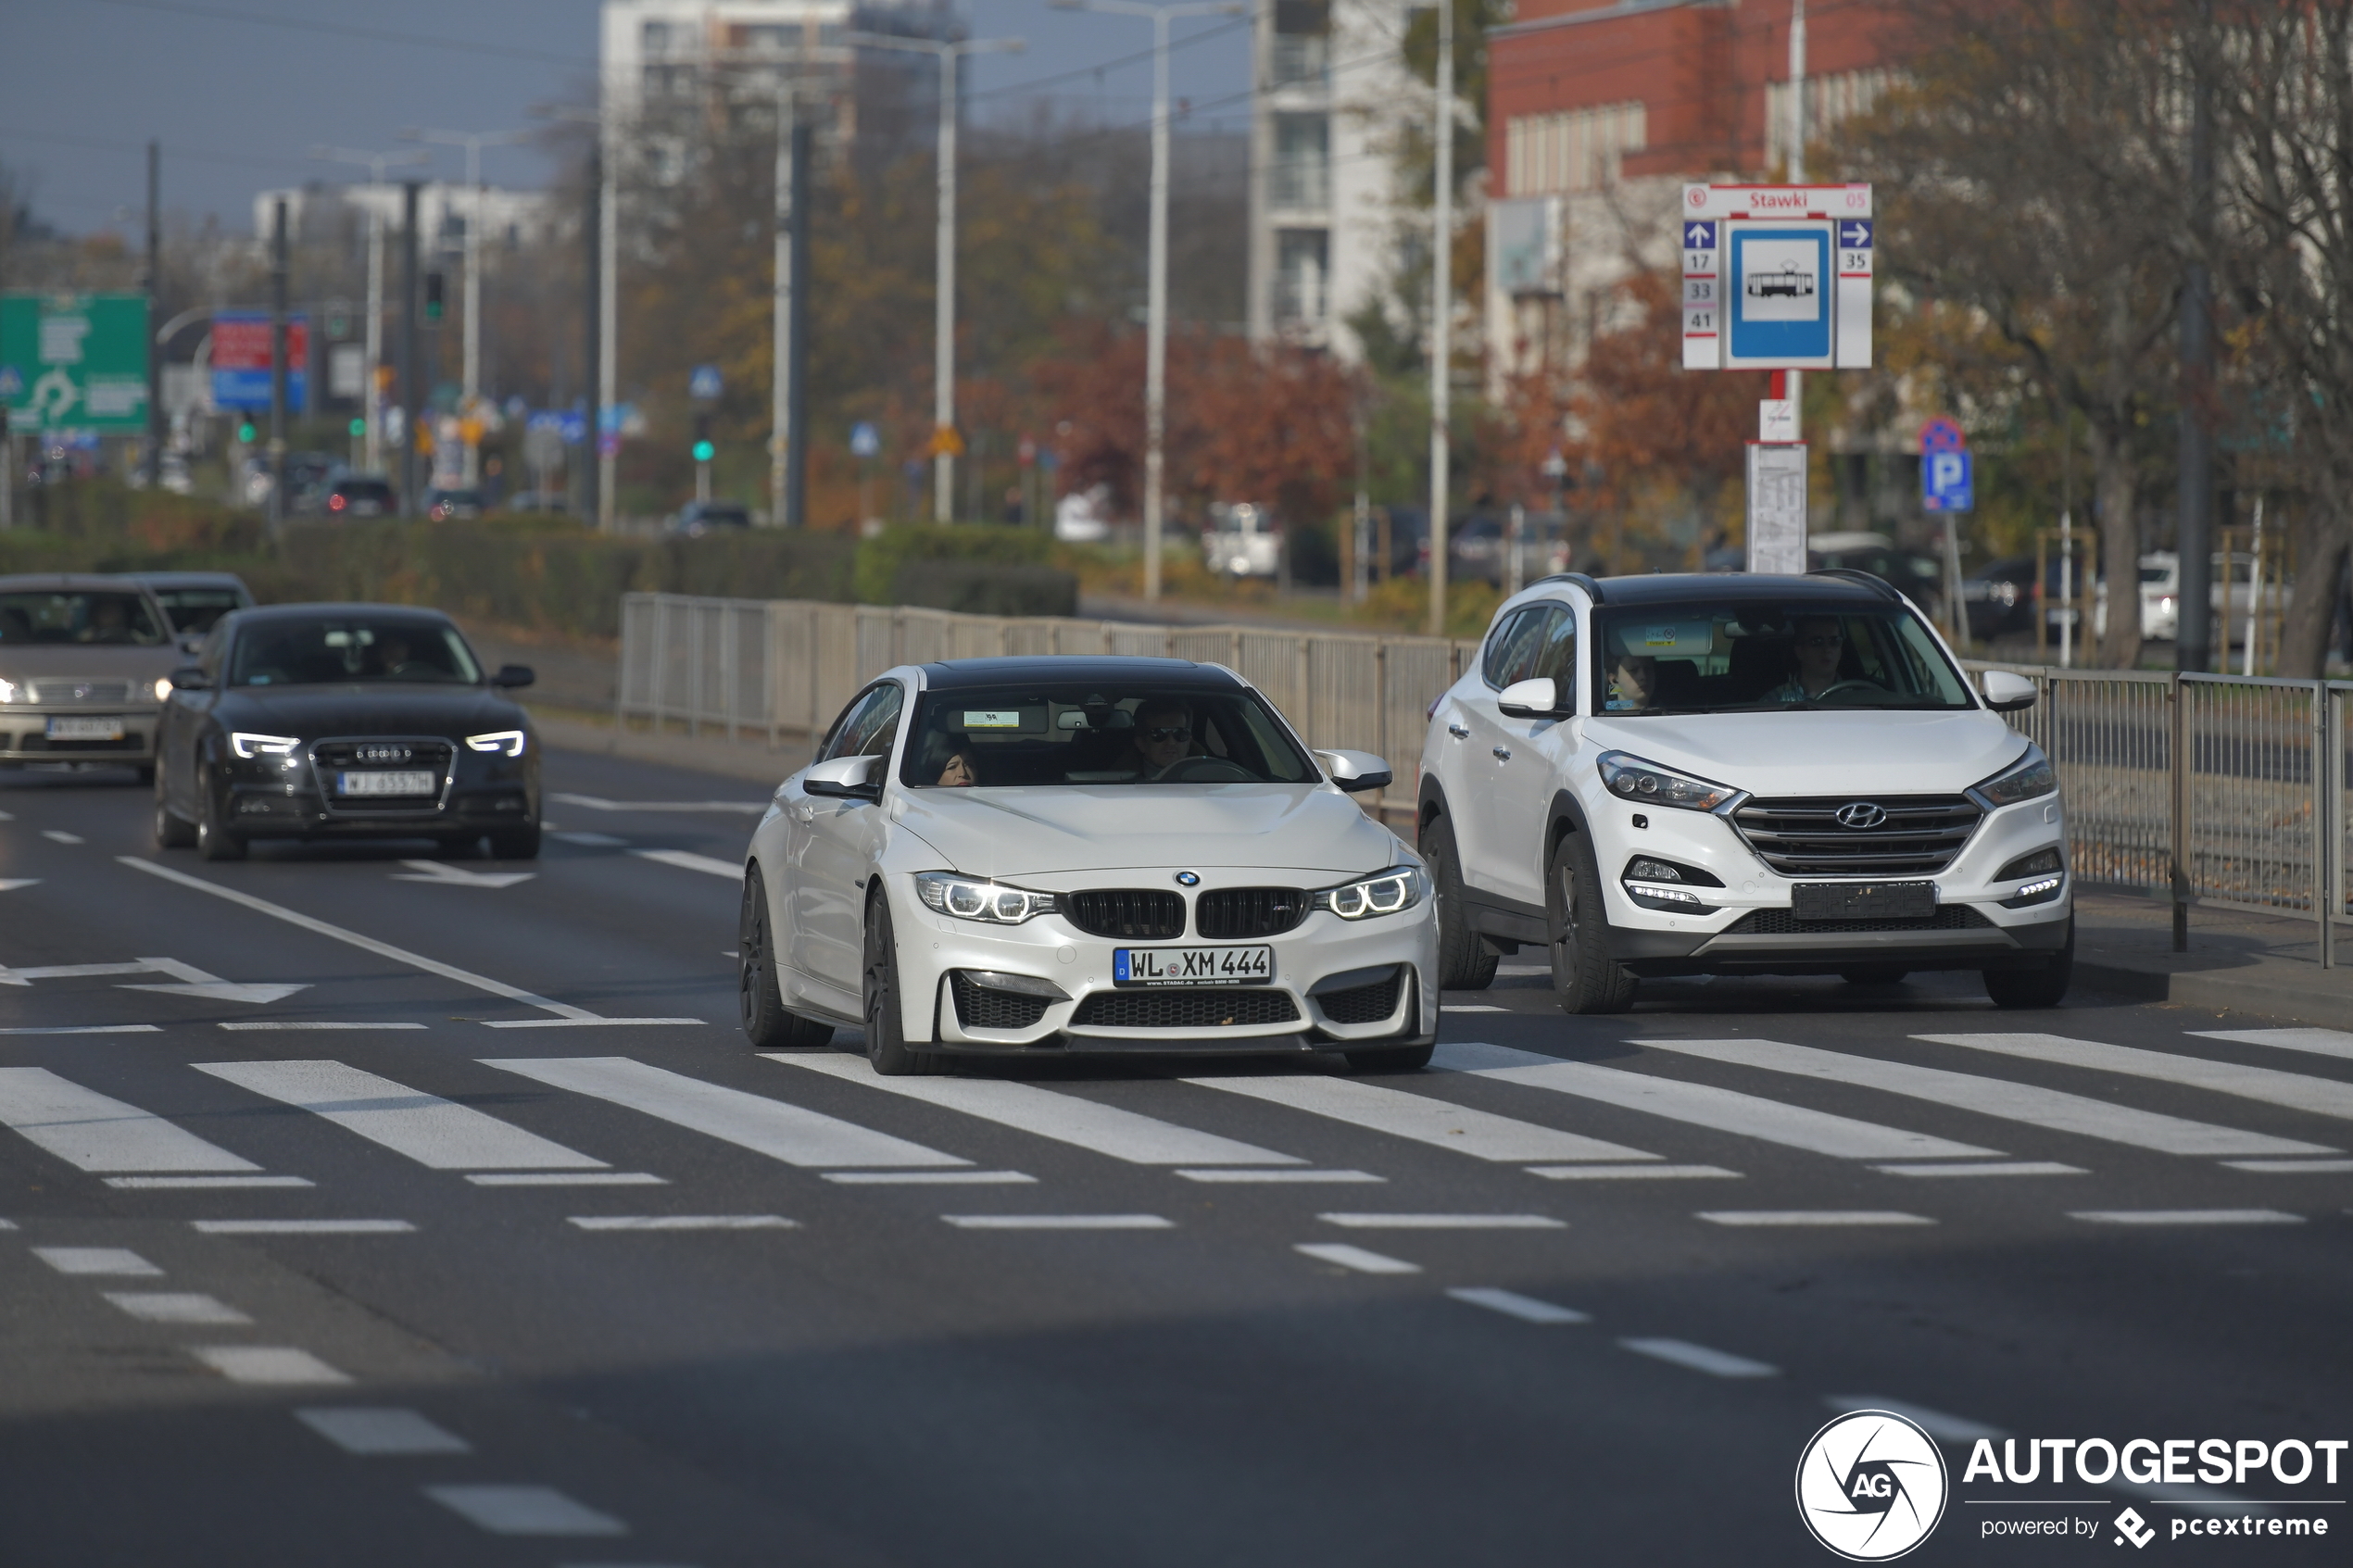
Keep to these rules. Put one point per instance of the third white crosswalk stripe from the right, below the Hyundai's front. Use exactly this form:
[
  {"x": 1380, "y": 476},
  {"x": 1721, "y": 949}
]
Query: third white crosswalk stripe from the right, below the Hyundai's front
[{"x": 2048, "y": 1108}]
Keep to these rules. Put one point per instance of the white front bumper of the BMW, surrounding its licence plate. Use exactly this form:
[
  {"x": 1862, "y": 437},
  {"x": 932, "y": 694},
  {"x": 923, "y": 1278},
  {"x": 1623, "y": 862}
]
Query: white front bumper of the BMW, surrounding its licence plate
[{"x": 1048, "y": 986}]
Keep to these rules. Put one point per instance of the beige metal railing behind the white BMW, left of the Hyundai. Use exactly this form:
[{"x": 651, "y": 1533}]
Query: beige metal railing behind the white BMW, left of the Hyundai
[{"x": 789, "y": 666}]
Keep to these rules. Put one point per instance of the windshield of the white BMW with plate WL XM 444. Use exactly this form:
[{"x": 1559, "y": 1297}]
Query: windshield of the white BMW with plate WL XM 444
[{"x": 1048, "y": 735}]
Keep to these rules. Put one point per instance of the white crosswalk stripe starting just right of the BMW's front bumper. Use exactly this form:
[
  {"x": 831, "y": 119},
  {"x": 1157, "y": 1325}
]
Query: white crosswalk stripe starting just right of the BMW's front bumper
[{"x": 1705, "y": 1106}]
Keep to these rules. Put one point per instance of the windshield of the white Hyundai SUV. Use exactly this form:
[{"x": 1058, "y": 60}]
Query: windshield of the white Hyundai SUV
[{"x": 1768, "y": 655}]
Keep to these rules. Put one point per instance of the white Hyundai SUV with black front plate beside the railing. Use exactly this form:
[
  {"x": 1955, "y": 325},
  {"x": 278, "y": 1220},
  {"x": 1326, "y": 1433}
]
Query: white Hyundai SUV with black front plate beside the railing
[{"x": 1740, "y": 775}]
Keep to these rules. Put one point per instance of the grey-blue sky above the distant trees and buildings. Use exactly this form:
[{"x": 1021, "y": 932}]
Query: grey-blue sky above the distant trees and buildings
[{"x": 239, "y": 105}]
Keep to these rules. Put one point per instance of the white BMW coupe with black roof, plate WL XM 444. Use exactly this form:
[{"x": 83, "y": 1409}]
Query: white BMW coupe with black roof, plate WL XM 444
[{"x": 1053, "y": 857}]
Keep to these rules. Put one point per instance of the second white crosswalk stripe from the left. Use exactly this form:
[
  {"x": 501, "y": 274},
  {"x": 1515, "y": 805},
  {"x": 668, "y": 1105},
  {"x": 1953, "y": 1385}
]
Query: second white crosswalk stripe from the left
[{"x": 436, "y": 1134}]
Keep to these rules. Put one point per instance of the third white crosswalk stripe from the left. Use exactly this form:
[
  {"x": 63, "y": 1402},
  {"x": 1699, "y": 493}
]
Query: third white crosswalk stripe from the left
[{"x": 754, "y": 1123}]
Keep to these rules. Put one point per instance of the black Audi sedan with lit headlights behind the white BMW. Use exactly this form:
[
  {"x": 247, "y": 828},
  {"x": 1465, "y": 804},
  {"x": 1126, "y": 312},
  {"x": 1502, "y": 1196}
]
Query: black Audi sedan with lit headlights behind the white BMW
[{"x": 345, "y": 723}]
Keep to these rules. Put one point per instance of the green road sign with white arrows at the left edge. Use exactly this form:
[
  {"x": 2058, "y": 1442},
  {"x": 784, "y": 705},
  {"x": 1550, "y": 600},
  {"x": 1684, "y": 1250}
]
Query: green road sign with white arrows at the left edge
[{"x": 74, "y": 361}]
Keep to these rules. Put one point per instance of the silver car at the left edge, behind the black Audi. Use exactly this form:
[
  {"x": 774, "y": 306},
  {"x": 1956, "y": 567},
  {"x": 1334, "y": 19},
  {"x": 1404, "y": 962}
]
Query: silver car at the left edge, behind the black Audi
[{"x": 86, "y": 664}]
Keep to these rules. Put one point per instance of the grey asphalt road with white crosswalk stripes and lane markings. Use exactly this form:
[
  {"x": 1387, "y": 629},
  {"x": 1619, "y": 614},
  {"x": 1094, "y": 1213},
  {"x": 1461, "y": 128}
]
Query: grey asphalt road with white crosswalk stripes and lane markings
[{"x": 411, "y": 1287}]
